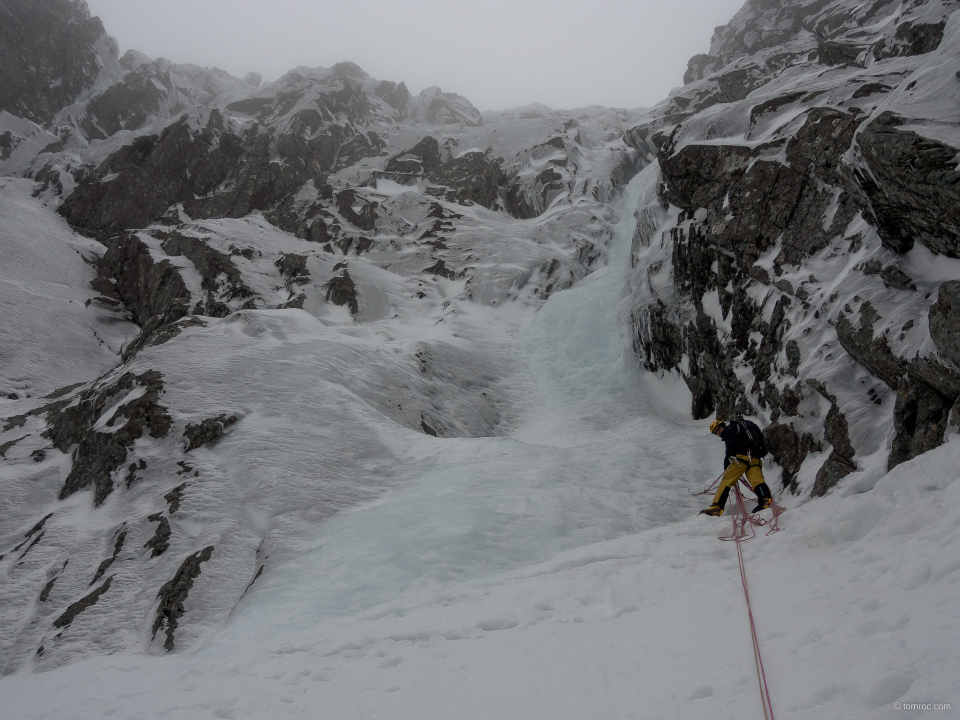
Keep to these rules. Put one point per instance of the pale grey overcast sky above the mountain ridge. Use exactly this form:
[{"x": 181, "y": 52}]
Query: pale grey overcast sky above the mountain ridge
[{"x": 498, "y": 53}]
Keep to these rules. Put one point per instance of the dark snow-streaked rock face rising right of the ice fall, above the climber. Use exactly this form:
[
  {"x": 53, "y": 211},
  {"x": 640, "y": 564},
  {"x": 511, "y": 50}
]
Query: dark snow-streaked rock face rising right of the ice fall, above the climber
[{"x": 804, "y": 158}]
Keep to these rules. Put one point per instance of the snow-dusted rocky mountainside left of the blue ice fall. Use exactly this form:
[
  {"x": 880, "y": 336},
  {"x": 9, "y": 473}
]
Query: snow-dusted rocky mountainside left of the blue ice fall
[{"x": 240, "y": 227}]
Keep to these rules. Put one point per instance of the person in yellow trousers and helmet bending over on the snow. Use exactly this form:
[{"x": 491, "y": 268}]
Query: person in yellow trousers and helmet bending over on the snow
[{"x": 745, "y": 450}]
